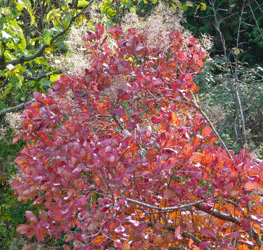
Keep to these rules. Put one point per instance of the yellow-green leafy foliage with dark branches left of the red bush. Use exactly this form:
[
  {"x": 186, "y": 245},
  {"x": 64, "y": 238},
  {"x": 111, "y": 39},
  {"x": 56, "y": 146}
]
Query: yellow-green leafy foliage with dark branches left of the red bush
[{"x": 32, "y": 34}]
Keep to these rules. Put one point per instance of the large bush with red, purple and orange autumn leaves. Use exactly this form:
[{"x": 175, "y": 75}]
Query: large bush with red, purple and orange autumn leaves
[{"x": 119, "y": 158}]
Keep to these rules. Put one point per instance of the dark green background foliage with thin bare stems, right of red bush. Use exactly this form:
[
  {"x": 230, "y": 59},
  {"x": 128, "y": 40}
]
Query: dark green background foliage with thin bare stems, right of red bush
[{"x": 233, "y": 93}]
